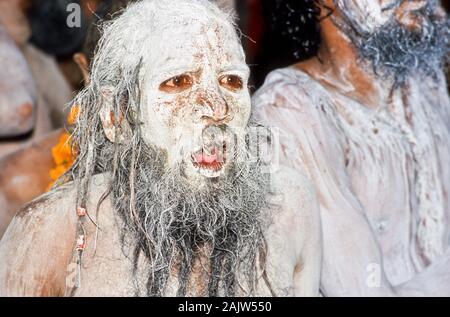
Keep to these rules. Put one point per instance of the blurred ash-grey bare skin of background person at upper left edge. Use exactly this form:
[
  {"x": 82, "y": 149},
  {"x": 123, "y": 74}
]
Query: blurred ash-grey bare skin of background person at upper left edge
[{"x": 17, "y": 90}]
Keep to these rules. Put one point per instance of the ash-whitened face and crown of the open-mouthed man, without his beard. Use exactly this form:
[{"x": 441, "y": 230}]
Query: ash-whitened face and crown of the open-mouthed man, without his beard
[{"x": 193, "y": 76}]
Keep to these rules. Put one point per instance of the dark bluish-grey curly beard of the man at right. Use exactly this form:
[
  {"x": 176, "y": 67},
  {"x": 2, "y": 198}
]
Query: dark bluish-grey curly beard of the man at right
[{"x": 394, "y": 50}]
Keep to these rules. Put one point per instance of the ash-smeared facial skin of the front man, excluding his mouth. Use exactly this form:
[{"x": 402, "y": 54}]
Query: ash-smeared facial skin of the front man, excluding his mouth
[{"x": 179, "y": 115}]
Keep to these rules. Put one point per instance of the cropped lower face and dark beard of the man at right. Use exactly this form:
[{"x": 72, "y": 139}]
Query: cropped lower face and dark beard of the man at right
[{"x": 398, "y": 37}]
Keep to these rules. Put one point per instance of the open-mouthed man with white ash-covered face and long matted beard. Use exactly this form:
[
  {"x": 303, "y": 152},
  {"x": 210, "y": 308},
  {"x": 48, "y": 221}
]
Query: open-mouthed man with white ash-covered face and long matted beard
[{"x": 167, "y": 198}]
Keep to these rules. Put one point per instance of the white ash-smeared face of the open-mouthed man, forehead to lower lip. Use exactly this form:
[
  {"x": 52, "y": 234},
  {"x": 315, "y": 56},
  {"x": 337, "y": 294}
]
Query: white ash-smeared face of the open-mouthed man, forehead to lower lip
[{"x": 192, "y": 83}]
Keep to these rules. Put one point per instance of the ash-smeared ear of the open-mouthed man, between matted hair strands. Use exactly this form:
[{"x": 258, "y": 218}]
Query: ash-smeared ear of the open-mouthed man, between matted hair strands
[{"x": 116, "y": 128}]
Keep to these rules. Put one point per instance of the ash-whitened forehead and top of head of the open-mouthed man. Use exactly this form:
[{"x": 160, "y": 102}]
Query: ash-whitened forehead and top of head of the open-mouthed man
[{"x": 150, "y": 32}]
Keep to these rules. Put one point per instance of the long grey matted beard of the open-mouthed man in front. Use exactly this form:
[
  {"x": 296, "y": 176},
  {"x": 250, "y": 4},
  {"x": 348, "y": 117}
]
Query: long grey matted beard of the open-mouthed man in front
[{"x": 170, "y": 222}]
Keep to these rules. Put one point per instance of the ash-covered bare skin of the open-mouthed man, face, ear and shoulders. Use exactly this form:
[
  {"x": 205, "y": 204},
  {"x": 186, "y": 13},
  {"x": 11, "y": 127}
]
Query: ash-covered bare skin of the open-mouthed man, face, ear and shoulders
[{"x": 182, "y": 92}]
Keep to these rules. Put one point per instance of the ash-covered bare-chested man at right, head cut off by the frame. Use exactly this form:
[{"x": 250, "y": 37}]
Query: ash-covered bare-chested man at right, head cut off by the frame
[{"x": 368, "y": 120}]
